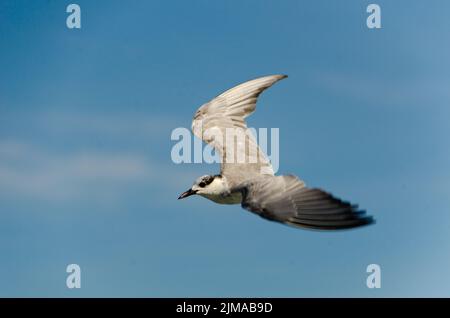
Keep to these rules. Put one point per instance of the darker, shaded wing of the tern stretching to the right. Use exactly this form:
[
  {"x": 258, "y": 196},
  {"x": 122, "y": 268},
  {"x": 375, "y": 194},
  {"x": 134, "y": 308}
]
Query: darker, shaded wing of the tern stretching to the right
[{"x": 286, "y": 199}]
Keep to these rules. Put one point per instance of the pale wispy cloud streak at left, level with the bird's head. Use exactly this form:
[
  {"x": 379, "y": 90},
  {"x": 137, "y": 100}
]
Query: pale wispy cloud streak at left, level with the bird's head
[{"x": 32, "y": 172}]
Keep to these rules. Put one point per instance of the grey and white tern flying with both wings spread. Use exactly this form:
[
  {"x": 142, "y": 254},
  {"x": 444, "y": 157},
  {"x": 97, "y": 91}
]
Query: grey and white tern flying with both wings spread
[{"x": 251, "y": 182}]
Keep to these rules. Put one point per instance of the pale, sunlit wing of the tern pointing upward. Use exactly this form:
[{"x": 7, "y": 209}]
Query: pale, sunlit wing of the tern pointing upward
[{"x": 221, "y": 123}]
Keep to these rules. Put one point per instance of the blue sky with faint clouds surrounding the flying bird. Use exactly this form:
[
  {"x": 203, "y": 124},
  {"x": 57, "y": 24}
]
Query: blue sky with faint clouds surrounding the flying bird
[{"x": 86, "y": 175}]
